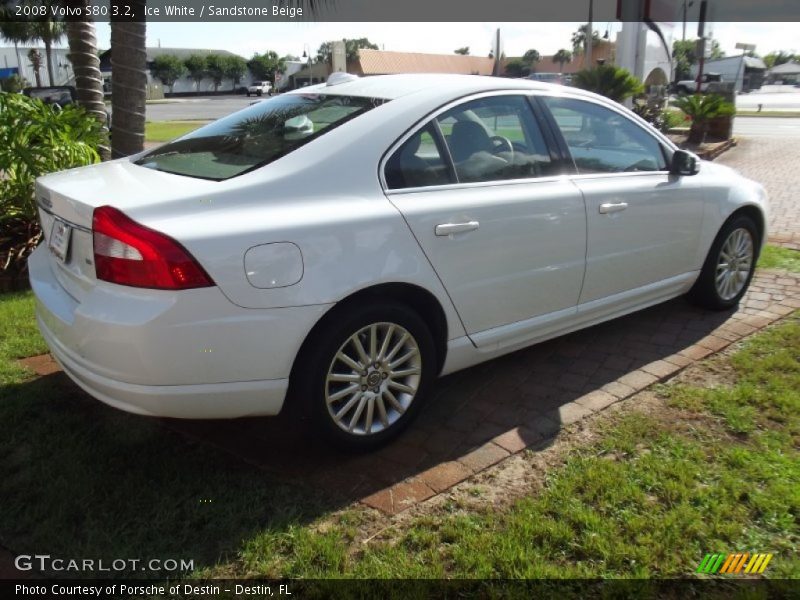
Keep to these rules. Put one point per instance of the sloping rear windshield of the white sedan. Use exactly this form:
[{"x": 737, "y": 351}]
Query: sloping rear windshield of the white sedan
[{"x": 255, "y": 136}]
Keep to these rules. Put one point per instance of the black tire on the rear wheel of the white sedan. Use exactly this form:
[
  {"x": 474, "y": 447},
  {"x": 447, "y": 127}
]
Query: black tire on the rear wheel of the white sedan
[{"x": 310, "y": 377}]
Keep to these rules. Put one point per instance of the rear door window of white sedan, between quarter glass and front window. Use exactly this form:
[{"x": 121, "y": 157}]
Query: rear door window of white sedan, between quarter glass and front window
[{"x": 495, "y": 138}]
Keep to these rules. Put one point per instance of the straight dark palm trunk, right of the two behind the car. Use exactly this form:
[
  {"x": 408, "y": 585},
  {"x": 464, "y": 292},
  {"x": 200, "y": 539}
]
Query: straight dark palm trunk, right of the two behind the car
[{"x": 128, "y": 84}]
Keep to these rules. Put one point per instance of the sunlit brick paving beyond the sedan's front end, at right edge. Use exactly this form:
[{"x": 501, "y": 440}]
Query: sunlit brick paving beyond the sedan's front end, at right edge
[{"x": 774, "y": 162}]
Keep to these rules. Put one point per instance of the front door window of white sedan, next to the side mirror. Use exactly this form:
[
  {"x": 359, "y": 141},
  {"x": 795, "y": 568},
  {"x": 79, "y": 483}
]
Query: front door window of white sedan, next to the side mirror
[{"x": 603, "y": 141}]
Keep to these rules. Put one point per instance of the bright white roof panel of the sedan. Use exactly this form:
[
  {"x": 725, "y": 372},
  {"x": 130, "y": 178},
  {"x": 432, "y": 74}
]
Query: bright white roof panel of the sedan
[{"x": 391, "y": 87}]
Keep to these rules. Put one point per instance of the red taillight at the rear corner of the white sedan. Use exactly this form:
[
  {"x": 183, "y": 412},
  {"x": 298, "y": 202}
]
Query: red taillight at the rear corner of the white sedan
[{"x": 128, "y": 253}]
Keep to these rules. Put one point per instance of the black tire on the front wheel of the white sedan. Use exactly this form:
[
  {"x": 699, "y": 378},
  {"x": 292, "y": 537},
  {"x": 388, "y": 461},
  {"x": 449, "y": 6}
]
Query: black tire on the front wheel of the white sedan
[{"x": 705, "y": 291}]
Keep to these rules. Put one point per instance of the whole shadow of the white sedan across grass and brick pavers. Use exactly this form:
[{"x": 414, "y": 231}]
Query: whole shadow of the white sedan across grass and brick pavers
[{"x": 80, "y": 479}]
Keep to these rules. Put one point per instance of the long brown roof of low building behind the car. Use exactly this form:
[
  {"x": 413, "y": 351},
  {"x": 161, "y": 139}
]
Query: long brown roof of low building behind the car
[{"x": 381, "y": 62}]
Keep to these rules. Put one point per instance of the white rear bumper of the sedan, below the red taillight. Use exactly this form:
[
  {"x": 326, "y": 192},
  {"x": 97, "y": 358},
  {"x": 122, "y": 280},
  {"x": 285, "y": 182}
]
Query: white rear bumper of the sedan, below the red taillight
[{"x": 190, "y": 354}]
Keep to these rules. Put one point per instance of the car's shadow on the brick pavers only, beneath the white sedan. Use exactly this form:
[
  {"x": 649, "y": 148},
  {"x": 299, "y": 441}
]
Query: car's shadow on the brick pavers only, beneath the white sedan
[{"x": 467, "y": 410}]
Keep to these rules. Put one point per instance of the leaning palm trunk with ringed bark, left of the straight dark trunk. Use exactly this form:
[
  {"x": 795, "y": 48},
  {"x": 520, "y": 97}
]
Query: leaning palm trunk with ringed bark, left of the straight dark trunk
[{"x": 82, "y": 40}]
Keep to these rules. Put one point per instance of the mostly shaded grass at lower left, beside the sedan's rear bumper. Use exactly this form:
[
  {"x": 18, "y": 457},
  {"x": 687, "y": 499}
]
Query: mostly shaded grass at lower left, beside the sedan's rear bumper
[{"x": 79, "y": 479}]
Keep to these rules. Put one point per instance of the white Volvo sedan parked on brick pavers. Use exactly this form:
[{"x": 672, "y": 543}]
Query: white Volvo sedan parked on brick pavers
[{"x": 342, "y": 245}]
